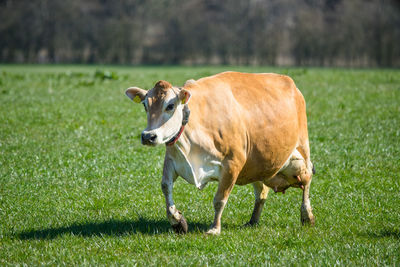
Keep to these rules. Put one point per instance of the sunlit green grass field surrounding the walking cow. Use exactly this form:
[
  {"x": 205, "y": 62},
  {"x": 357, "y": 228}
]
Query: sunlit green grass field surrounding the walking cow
[{"x": 76, "y": 186}]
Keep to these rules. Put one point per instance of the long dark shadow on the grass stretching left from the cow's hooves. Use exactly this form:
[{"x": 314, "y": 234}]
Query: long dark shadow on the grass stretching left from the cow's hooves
[{"x": 110, "y": 227}]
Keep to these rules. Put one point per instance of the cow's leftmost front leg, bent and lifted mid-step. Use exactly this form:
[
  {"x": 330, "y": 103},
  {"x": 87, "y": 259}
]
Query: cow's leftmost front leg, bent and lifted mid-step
[{"x": 175, "y": 217}]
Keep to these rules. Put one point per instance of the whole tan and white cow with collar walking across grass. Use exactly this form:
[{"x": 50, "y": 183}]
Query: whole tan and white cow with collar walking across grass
[{"x": 233, "y": 128}]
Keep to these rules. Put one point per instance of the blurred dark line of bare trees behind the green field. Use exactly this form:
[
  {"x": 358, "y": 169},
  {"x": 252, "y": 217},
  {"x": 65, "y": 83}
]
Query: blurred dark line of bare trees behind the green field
[{"x": 273, "y": 32}]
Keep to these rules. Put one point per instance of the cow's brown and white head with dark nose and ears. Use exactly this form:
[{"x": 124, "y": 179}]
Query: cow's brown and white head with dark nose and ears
[{"x": 163, "y": 105}]
